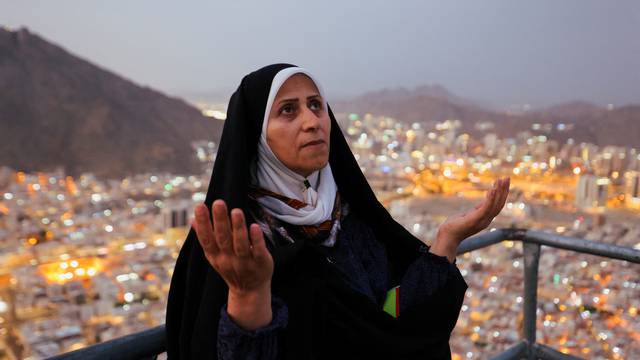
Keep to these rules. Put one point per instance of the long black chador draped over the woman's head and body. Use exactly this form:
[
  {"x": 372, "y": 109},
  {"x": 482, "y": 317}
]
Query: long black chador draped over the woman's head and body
[{"x": 327, "y": 319}]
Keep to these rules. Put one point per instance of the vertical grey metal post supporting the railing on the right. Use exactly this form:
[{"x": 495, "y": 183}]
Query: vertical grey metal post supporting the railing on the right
[{"x": 531, "y": 260}]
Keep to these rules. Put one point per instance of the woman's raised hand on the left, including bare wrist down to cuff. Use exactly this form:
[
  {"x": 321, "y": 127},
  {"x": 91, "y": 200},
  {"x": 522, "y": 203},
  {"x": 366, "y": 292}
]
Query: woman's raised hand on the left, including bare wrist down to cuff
[{"x": 241, "y": 259}]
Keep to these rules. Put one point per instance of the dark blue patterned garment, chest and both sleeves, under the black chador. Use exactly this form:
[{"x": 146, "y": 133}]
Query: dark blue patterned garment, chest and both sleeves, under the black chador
[{"x": 363, "y": 262}]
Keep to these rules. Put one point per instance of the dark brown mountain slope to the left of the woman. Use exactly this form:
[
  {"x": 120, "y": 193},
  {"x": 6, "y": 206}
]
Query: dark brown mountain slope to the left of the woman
[{"x": 57, "y": 109}]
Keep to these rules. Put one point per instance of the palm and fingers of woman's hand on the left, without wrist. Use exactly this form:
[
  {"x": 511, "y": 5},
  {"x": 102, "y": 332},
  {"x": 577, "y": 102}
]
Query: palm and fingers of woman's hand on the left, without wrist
[{"x": 243, "y": 261}]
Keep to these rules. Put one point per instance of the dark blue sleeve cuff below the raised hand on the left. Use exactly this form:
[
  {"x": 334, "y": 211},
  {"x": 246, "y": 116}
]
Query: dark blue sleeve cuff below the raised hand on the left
[{"x": 237, "y": 343}]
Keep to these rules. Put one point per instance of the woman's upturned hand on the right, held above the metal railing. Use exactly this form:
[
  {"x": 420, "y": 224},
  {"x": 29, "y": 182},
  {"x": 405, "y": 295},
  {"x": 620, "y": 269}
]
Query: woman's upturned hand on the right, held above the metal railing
[{"x": 461, "y": 226}]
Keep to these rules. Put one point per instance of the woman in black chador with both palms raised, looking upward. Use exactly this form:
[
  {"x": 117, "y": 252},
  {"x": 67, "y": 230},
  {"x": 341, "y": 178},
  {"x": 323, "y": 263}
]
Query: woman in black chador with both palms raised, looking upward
[{"x": 314, "y": 274}]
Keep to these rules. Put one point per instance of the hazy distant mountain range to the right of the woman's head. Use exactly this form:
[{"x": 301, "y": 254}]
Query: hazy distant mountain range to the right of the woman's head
[{"x": 429, "y": 105}]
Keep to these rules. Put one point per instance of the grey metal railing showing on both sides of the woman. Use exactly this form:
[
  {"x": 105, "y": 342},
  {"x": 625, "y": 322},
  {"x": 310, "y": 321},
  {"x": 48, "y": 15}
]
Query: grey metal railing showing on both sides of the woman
[{"x": 150, "y": 343}]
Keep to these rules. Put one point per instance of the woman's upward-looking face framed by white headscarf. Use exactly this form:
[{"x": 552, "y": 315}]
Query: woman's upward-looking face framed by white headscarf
[{"x": 299, "y": 126}]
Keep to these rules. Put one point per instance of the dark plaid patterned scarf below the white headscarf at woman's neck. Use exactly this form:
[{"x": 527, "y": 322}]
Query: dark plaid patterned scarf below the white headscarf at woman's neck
[{"x": 323, "y": 233}]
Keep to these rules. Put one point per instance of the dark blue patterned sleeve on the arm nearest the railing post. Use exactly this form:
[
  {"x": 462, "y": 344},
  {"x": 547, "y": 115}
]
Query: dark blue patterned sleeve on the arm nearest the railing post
[{"x": 425, "y": 275}]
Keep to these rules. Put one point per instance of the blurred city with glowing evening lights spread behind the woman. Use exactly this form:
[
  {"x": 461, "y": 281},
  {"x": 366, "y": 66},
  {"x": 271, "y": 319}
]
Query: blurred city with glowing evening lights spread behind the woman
[{"x": 85, "y": 259}]
